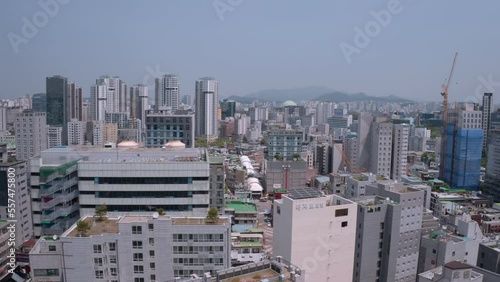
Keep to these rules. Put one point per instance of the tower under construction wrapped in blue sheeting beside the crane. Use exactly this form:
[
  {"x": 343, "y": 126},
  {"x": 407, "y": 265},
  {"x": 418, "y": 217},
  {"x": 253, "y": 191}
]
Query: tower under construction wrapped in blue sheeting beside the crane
[{"x": 464, "y": 147}]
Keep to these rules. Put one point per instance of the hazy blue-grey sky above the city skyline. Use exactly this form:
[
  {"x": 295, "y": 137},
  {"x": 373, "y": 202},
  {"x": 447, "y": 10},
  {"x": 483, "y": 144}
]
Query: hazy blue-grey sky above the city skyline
[{"x": 251, "y": 45}]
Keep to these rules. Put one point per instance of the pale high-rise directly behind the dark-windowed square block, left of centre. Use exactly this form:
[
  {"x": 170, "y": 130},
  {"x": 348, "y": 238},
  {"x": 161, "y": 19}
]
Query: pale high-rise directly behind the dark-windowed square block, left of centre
[{"x": 167, "y": 92}]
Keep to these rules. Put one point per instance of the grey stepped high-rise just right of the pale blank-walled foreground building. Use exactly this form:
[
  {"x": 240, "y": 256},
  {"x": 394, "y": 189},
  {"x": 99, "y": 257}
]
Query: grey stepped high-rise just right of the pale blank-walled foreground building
[{"x": 388, "y": 234}]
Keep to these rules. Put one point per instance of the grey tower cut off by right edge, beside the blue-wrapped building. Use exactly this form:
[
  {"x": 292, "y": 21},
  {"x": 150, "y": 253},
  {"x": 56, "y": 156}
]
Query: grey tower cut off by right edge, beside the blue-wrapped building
[{"x": 492, "y": 177}]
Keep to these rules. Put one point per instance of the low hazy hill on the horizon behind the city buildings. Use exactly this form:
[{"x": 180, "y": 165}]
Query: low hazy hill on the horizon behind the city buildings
[{"x": 311, "y": 93}]
